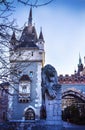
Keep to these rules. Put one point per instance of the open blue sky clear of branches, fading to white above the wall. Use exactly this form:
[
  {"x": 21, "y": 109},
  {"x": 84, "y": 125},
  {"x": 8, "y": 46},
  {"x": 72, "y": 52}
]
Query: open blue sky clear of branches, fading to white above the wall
[{"x": 63, "y": 25}]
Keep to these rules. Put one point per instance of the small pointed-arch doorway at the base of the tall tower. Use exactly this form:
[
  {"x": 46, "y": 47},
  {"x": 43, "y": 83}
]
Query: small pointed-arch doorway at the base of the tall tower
[{"x": 29, "y": 114}]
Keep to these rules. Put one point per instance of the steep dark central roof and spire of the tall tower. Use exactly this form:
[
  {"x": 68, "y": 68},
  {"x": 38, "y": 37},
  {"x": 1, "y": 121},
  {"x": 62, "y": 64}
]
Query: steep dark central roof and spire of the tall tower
[{"x": 28, "y": 37}]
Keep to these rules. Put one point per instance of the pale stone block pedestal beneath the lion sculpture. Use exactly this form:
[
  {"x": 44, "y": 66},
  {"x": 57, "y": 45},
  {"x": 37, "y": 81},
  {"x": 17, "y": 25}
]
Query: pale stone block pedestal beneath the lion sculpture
[{"x": 53, "y": 109}]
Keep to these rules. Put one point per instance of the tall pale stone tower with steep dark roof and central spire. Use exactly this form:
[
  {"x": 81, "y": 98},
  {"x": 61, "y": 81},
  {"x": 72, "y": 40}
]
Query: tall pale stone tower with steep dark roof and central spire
[{"x": 26, "y": 61}]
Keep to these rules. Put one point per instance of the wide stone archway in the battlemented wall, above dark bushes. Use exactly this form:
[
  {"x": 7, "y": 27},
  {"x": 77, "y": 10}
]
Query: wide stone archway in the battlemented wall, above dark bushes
[{"x": 72, "y": 97}]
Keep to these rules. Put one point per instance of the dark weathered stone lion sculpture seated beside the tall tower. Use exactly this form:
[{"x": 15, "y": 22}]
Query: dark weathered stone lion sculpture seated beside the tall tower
[{"x": 49, "y": 85}]
